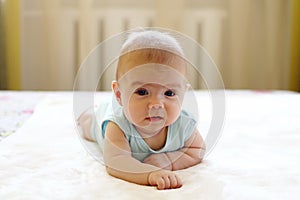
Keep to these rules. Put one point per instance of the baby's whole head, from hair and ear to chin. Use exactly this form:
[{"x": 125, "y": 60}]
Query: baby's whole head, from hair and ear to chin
[{"x": 150, "y": 80}]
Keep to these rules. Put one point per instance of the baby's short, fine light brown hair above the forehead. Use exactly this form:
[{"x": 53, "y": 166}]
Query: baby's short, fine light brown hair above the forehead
[{"x": 151, "y": 45}]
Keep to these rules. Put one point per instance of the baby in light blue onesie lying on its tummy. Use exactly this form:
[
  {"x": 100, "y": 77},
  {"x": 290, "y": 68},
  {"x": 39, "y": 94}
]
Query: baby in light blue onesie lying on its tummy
[{"x": 145, "y": 135}]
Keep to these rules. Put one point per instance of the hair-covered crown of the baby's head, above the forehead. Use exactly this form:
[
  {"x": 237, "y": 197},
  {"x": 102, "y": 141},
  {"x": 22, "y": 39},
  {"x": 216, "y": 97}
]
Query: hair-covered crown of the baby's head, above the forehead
[{"x": 150, "y": 47}]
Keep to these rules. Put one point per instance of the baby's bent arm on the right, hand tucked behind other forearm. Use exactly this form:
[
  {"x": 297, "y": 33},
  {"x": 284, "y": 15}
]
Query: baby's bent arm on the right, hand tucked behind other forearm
[{"x": 191, "y": 154}]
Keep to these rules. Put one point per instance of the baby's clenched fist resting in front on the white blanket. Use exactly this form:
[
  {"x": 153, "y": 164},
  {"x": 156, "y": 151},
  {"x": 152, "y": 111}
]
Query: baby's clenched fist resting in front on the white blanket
[{"x": 164, "y": 179}]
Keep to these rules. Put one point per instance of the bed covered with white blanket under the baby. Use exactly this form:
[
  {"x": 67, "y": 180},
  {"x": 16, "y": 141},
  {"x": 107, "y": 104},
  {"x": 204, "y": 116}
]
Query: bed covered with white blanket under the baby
[{"x": 256, "y": 157}]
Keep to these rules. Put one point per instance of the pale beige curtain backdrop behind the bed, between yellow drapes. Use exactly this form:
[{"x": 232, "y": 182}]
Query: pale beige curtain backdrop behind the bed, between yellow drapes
[{"x": 249, "y": 40}]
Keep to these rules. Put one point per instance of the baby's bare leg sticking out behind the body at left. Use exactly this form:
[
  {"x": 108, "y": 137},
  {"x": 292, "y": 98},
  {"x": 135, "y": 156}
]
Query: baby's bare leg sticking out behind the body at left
[{"x": 85, "y": 121}]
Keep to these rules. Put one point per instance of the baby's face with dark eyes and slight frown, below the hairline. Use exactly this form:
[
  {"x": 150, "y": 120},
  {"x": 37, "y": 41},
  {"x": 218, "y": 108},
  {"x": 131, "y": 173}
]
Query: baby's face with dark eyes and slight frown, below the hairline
[{"x": 152, "y": 95}]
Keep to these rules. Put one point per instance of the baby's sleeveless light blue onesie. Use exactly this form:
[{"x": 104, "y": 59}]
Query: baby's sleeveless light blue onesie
[{"x": 178, "y": 132}]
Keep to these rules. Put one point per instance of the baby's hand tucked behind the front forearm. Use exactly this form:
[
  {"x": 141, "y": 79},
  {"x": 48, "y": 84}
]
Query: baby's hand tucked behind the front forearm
[{"x": 160, "y": 160}]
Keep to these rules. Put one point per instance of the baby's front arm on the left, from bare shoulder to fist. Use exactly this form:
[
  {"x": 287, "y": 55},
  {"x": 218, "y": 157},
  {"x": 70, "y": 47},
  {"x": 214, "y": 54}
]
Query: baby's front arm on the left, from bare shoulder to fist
[{"x": 119, "y": 163}]
